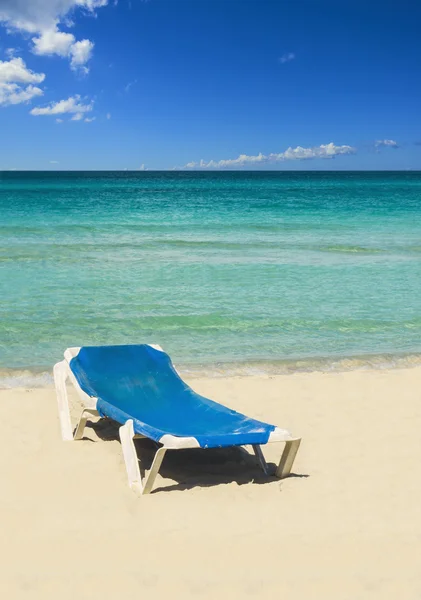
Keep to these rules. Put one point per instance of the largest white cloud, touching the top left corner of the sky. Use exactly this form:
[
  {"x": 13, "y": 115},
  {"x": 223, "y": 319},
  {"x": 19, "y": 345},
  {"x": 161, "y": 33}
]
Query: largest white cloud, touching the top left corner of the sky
[{"x": 42, "y": 18}]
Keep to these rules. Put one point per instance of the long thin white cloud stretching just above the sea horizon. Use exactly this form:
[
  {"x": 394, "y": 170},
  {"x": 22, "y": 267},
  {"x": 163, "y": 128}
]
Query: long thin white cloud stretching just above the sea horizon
[{"x": 299, "y": 153}]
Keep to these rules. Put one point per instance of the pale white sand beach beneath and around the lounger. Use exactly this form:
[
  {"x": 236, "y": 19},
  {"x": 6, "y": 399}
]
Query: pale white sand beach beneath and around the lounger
[{"x": 349, "y": 527}]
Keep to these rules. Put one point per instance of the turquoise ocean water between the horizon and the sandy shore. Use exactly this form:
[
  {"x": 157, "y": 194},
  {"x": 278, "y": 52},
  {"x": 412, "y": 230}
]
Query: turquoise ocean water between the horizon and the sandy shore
[{"x": 229, "y": 272}]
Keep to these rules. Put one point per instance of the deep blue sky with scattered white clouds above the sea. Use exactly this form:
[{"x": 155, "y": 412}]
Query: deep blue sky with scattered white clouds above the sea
[{"x": 205, "y": 84}]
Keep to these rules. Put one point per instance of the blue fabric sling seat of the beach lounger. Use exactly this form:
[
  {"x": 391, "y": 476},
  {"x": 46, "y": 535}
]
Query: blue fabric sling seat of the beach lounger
[{"x": 139, "y": 382}]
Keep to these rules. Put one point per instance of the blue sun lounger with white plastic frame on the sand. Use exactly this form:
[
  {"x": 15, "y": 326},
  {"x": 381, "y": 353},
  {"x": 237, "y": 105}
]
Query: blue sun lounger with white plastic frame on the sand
[{"x": 138, "y": 387}]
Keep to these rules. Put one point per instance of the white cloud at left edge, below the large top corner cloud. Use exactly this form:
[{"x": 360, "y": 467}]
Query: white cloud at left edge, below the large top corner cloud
[{"x": 16, "y": 82}]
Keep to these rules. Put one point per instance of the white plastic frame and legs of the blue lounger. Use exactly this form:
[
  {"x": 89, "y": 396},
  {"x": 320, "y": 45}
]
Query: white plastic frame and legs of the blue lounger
[{"x": 139, "y": 485}]
